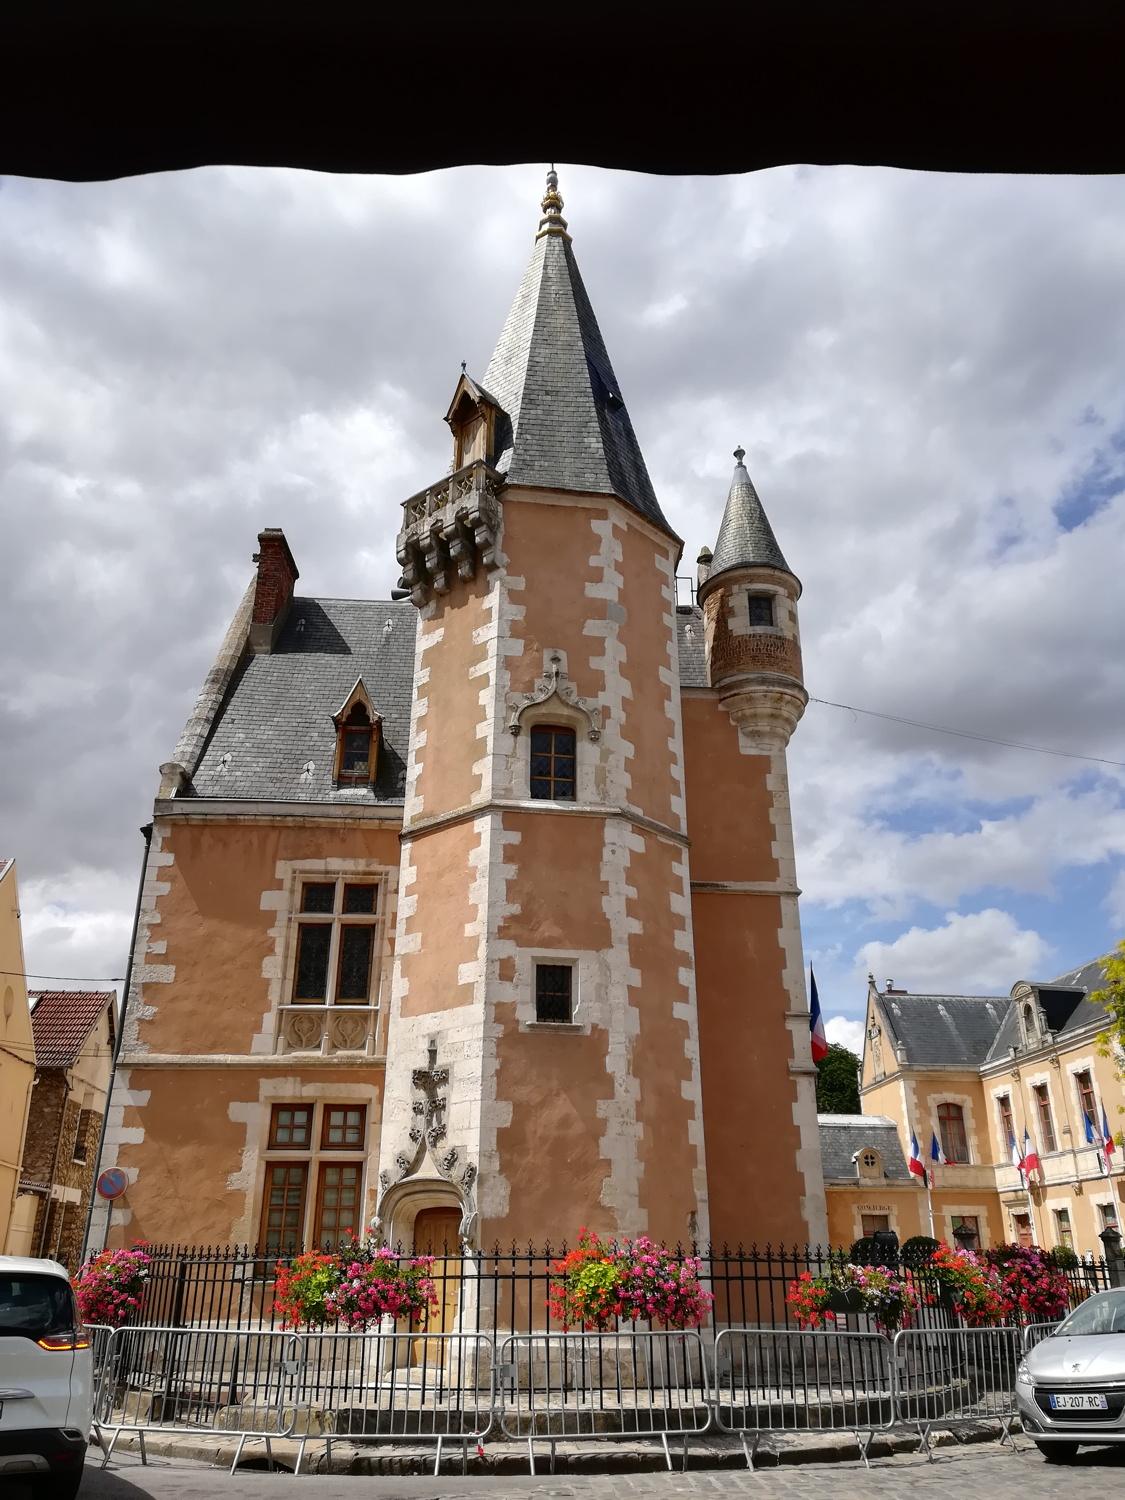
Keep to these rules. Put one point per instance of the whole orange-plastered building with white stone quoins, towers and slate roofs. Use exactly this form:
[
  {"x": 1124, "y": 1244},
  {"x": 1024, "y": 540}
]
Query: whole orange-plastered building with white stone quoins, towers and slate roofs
[{"x": 473, "y": 913}]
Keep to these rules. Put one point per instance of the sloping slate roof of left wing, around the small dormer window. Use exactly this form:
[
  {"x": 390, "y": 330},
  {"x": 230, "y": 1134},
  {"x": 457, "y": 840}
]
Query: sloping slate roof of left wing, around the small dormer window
[{"x": 277, "y": 716}]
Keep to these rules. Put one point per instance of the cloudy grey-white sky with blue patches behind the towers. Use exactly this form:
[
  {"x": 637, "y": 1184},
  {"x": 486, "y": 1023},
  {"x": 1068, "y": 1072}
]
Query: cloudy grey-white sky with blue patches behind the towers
[{"x": 928, "y": 377}]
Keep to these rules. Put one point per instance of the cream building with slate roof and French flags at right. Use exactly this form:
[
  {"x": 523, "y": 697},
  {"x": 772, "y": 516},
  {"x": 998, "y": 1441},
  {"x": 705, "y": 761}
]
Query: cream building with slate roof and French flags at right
[{"x": 976, "y": 1072}]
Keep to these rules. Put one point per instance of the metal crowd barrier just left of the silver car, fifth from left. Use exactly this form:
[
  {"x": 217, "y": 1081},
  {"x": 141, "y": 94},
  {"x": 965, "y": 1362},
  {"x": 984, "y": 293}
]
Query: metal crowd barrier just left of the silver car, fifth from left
[{"x": 950, "y": 1378}]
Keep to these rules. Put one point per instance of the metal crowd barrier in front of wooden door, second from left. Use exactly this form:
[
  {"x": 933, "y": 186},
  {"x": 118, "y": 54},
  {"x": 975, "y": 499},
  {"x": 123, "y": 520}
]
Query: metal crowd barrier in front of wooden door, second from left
[{"x": 397, "y": 1388}]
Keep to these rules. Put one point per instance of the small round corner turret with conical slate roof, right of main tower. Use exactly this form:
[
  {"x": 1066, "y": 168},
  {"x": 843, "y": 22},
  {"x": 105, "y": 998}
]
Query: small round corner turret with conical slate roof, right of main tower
[{"x": 754, "y": 644}]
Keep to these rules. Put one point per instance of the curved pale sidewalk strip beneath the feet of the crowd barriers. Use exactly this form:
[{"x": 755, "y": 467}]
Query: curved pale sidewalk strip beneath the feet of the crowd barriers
[{"x": 506, "y": 1457}]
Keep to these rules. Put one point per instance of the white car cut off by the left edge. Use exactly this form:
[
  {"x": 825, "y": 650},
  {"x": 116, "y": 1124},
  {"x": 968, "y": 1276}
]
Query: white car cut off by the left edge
[{"x": 46, "y": 1378}]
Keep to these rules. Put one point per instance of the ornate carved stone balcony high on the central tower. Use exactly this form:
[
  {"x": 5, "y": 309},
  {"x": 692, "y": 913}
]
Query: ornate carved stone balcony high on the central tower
[{"x": 451, "y": 530}]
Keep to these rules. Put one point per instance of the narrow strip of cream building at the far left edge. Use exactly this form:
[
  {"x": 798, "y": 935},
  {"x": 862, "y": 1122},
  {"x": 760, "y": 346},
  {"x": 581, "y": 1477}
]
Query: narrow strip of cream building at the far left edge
[{"x": 17, "y": 1052}]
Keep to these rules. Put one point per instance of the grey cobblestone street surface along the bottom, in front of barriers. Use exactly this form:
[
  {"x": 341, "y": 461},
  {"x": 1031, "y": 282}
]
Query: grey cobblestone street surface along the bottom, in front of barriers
[{"x": 982, "y": 1471}]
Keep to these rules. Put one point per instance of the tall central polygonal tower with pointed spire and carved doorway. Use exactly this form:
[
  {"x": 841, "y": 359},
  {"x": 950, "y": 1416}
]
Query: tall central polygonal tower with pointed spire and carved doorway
[{"x": 544, "y": 1052}]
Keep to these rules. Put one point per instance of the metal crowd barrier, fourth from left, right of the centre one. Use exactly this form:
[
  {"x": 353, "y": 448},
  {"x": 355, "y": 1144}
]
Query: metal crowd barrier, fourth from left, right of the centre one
[{"x": 782, "y": 1381}]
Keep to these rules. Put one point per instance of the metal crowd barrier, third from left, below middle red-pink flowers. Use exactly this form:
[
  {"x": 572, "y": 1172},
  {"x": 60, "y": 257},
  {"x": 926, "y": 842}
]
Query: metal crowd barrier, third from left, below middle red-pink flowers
[{"x": 557, "y": 1387}]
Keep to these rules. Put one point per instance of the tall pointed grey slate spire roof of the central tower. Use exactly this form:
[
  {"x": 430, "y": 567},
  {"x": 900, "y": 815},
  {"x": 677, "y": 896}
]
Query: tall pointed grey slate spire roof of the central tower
[{"x": 565, "y": 422}]
